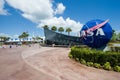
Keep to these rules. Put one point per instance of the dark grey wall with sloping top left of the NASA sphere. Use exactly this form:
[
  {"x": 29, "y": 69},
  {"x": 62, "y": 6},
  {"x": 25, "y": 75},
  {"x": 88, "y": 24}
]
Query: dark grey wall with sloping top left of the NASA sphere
[{"x": 52, "y": 37}]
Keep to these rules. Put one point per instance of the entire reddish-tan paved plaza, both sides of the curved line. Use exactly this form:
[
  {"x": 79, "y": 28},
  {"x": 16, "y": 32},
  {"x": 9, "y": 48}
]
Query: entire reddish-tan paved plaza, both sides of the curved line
[{"x": 34, "y": 63}]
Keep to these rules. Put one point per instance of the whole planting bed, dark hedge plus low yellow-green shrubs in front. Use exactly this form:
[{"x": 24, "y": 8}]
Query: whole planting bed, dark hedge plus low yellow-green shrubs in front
[{"x": 96, "y": 58}]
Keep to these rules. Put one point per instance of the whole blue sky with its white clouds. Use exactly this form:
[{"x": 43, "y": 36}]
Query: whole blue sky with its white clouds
[{"x": 30, "y": 15}]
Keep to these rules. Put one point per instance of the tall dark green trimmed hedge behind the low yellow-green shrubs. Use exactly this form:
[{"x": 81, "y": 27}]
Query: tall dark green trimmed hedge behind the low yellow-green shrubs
[{"x": 96, "y": 56}]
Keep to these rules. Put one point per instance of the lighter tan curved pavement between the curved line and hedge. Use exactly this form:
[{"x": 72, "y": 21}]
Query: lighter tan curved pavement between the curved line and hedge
[{"x": 55, "y": 62}]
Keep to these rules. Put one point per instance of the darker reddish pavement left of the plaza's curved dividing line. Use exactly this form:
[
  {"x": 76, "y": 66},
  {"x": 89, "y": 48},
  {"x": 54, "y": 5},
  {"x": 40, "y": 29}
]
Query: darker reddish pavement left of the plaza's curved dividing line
[{"x": 13, "y": 67}]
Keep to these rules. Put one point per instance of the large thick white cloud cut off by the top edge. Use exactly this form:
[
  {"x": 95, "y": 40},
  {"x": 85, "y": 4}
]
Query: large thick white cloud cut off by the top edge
[{"x": 34, "y": 10}]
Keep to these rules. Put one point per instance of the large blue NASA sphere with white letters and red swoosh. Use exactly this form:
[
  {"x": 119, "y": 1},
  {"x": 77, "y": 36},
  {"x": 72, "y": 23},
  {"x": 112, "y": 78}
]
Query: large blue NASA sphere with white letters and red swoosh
[{"x": 96, "y": 33}]
